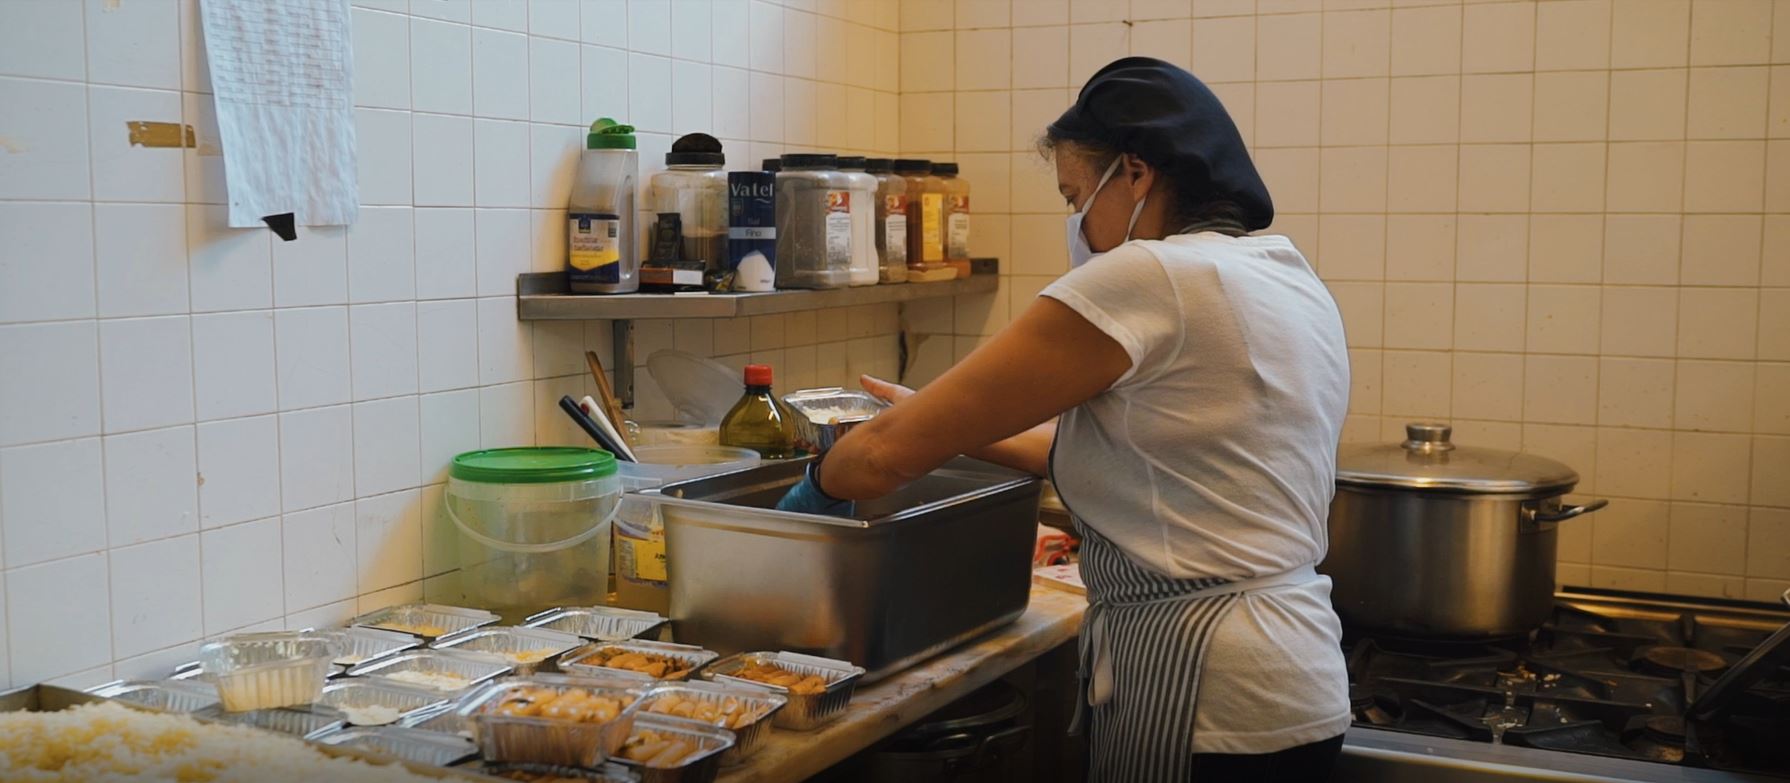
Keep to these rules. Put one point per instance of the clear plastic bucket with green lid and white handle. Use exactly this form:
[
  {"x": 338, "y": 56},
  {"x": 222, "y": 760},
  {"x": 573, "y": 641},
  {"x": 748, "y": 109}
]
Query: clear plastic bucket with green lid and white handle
[{"x": 534, "y": 528}]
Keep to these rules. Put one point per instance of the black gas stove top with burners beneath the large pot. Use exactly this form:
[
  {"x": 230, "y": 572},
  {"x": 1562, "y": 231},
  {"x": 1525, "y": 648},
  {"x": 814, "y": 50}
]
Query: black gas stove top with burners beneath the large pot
[{"x": 1610, "y": 675}]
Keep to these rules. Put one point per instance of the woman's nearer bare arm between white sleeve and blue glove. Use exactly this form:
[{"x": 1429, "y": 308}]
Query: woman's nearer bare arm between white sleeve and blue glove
[{"x": 1046, "y": 363}]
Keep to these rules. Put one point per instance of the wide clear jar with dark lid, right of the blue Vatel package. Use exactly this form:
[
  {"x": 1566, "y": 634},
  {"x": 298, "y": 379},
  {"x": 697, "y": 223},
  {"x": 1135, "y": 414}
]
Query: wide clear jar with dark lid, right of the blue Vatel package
[{"x": 814, "y": 223}]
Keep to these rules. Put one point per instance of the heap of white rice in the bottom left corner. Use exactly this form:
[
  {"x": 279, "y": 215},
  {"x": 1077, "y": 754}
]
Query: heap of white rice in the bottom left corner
[{"x": 114, "y": 744}]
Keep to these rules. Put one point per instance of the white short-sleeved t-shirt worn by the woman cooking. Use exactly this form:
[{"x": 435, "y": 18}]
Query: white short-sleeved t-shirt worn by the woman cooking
[{"x": 1215, "y": 456}]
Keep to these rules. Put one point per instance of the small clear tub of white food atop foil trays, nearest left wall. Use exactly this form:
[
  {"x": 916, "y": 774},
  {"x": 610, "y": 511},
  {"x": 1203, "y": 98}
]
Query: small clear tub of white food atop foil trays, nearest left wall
[{"x": 269, "y": 671}]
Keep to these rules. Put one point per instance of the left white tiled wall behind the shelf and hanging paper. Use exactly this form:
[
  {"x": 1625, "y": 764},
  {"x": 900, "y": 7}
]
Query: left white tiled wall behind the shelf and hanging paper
[{"x": 209, "y": 429}]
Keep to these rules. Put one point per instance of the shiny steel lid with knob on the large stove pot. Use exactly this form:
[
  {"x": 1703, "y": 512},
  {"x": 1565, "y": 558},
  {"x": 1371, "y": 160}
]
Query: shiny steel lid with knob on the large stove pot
[{"x": 1431, "y": 461}]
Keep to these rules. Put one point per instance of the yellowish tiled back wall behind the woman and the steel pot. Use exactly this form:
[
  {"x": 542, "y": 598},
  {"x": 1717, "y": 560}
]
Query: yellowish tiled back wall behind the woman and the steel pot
[{"x": 1562, "y": 225}]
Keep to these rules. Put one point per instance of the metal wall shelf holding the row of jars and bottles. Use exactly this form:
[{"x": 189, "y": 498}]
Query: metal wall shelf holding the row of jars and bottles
[{"x": 541, "y": 297}]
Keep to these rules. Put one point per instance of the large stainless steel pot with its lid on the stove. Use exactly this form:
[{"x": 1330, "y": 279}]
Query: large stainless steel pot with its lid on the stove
[{"x": 1438, "y": 540}]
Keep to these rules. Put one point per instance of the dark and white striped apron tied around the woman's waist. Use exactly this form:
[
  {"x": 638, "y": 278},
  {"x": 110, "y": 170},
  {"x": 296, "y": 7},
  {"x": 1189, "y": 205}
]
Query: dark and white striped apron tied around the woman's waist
[{"x": 1143, "y": 644}]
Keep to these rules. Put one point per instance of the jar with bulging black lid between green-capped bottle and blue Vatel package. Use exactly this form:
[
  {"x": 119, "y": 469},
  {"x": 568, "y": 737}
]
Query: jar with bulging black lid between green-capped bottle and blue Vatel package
[{"x": 688, "y": 198}]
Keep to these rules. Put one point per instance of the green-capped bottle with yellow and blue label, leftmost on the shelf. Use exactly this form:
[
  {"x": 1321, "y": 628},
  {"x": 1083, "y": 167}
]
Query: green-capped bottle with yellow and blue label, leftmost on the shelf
[{"x": 602, "y": 255}]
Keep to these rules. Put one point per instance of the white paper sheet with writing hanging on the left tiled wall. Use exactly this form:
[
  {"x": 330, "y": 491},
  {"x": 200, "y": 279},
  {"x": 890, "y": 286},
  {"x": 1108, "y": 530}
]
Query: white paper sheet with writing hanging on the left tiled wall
[{"x": 282, "y": 74}]
